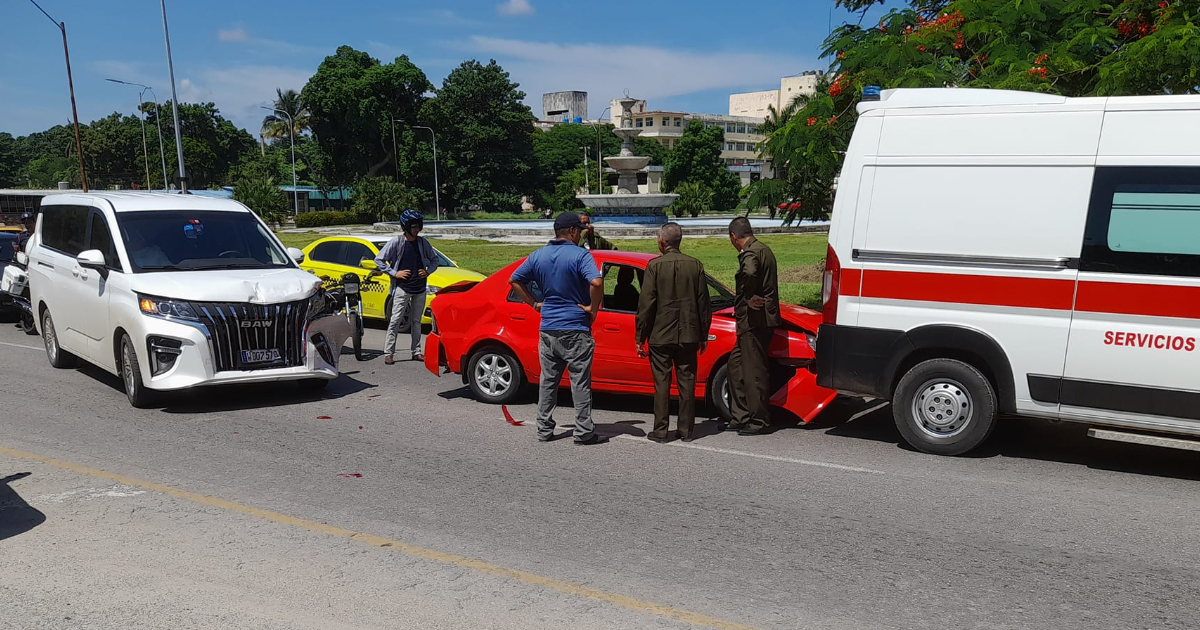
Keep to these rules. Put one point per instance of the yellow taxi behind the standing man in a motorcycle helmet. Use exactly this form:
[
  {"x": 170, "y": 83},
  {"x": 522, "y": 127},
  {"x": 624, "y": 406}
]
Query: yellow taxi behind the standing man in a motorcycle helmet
[{"x": 335, "y": 256}]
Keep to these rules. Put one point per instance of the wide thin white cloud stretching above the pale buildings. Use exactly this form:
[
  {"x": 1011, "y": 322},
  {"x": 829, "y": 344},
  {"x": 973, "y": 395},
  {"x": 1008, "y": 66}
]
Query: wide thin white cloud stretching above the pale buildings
[{"x": 608, "y": 71}]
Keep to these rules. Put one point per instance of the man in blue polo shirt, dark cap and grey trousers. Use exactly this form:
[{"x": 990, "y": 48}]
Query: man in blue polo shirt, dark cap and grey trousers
[{"x": 572, "y": 290}]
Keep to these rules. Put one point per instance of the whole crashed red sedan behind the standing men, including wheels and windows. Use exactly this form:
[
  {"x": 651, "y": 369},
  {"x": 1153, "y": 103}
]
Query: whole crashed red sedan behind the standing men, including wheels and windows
[{"x": 483, "y": 332}]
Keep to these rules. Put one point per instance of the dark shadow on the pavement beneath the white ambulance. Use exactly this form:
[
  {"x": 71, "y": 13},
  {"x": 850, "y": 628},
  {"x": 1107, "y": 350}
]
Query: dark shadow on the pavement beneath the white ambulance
[{"x": 1021, "y": 439}]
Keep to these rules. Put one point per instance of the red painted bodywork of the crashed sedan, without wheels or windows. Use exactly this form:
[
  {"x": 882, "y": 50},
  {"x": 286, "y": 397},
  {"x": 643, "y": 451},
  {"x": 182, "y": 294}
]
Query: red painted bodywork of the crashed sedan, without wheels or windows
[{"x": 470, "y": 316}]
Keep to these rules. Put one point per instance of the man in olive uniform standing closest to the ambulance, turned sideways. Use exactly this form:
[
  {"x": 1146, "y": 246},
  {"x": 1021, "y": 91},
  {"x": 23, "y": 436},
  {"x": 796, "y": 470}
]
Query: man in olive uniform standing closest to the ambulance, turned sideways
[{"x": 757, "y": 309}]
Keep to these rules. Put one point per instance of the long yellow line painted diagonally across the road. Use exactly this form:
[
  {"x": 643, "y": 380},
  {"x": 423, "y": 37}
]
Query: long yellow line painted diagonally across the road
[{"x": 551, "y": 584}]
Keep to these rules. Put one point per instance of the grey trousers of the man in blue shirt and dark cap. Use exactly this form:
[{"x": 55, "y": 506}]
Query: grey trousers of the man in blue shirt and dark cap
[{"x": 572, "y": 351}]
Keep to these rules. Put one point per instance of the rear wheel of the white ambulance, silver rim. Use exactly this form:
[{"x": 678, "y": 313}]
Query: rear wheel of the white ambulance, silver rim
[{"x": 945, "y": 407}]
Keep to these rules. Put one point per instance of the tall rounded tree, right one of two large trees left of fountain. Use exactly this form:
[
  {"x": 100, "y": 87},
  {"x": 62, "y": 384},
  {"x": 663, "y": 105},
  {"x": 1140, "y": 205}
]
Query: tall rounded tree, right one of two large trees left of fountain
[{"x": 485, "y": 139}]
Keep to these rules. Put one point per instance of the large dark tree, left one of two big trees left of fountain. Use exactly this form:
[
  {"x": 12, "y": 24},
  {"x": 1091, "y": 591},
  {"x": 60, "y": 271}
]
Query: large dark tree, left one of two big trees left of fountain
[{"x": 353, "y": 100}]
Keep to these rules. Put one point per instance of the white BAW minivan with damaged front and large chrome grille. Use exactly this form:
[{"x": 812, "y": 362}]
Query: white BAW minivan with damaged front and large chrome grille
[{"x": 173, "y": 292}]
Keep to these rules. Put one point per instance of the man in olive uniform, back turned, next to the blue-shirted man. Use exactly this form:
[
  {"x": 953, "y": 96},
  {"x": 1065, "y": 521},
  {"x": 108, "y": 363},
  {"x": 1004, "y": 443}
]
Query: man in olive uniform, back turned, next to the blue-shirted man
[{"x": 674, "y": 317}]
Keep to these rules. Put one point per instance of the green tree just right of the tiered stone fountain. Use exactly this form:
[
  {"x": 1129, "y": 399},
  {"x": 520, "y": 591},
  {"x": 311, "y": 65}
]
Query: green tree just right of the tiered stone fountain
[{"x": 697, "y": 158}]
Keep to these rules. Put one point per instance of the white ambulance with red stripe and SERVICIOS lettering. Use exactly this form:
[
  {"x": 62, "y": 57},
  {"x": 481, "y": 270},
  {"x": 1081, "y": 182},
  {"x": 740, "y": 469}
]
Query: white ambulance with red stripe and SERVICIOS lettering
[{"x": 1010, "y": 254}]
